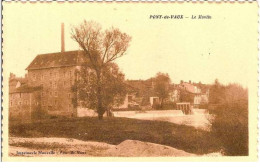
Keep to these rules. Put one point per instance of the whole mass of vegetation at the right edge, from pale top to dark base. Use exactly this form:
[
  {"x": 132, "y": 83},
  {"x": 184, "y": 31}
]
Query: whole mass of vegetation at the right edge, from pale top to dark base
[{"x": 229, "y": 104}]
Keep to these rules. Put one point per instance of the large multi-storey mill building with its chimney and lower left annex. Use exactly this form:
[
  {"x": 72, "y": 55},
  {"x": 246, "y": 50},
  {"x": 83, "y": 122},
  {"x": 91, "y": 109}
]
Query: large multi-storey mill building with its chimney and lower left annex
[{"x": 47, "y": 85}]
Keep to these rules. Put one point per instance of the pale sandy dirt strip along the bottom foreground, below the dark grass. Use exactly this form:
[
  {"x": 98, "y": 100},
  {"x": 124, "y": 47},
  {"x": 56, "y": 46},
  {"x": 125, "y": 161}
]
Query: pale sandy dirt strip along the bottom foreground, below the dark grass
[{"x": 71, "y": 147}]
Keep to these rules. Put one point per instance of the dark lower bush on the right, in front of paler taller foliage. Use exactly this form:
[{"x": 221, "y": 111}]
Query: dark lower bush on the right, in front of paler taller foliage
[{"x": 231, "y": 126}]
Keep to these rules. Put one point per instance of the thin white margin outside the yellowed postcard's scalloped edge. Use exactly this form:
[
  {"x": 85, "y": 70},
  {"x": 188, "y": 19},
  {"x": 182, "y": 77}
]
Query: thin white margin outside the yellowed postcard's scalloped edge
[{"x": 141, "y": 164}]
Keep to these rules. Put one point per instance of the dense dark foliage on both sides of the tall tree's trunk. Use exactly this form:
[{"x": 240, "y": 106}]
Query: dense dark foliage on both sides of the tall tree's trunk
[{"x": 112, "y": 83}]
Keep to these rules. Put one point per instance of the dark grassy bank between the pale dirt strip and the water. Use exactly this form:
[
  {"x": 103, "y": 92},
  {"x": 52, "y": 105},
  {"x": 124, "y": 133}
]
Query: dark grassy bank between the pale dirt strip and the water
[{"x": 116, "y": 130}]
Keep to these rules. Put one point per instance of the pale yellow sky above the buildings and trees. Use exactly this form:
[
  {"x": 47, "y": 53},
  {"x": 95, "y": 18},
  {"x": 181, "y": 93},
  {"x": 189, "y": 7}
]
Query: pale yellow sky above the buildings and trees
[{"x": 223, "y": 47}]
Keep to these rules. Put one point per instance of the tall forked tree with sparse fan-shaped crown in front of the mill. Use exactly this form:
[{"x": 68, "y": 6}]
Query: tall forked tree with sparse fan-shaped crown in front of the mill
[{"x": 101, "y": 48}]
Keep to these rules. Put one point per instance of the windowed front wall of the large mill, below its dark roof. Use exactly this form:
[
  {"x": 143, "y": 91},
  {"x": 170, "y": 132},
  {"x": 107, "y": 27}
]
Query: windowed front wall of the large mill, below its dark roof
[{"x": 56, "y": 95}]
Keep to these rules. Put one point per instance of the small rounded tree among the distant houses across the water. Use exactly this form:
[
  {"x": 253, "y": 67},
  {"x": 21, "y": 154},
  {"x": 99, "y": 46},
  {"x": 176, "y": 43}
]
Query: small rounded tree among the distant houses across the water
[{"x": 161, "y": 86}]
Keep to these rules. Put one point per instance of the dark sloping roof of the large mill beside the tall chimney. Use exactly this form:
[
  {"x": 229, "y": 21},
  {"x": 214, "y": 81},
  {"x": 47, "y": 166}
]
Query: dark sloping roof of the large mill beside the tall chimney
[{"x": 59, "y": 59}]
